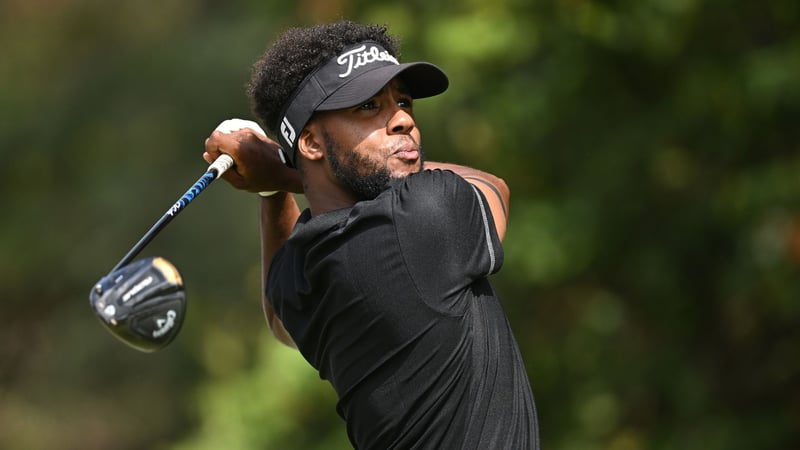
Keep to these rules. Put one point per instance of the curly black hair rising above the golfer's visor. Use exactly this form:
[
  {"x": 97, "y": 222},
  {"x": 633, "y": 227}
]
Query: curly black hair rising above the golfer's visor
[{"x": 295, "y": 54}]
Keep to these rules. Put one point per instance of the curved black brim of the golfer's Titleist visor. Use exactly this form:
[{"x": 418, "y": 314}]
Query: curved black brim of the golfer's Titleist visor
[{"x": 422, "y": 80}]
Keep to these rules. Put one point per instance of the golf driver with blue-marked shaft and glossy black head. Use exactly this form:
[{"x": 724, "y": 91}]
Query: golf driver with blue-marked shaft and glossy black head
[{"x": 143, "y": 303}]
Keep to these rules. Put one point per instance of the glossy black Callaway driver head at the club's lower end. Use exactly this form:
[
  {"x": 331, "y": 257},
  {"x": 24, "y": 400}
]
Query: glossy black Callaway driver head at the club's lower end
[{"x": 143, "y": 303}]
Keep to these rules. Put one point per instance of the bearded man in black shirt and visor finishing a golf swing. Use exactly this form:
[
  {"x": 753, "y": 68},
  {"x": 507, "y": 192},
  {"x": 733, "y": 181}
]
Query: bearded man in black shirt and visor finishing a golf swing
[{"x": 382, "y": 283}]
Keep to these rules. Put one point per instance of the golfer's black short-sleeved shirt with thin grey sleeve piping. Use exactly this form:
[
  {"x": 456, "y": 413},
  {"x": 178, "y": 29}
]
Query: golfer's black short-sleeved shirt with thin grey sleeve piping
[{"x": 389, "y": 300}]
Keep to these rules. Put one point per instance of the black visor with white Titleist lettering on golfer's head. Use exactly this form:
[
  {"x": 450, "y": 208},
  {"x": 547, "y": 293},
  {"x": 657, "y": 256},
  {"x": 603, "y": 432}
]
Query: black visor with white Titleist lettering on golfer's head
[{"x": 352, "y": 77}]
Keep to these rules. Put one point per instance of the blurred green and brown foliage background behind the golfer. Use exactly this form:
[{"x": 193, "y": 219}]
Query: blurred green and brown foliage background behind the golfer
[{"x": 653, "y": 253}]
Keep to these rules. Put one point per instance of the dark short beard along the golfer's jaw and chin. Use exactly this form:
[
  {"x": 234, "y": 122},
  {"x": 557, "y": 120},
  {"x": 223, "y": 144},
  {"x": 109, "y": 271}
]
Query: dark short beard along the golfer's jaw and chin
[{"x": 364, "y": 177}]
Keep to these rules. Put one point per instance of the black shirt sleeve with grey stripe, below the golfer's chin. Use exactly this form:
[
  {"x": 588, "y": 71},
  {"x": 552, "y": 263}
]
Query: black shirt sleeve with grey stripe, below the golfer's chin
[{"x": 446, "y": 232}]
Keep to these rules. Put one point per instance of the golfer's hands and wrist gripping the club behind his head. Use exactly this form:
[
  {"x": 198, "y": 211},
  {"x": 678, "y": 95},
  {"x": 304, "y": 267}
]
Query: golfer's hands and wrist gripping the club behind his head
[{"x": 258, "y": 164}]
